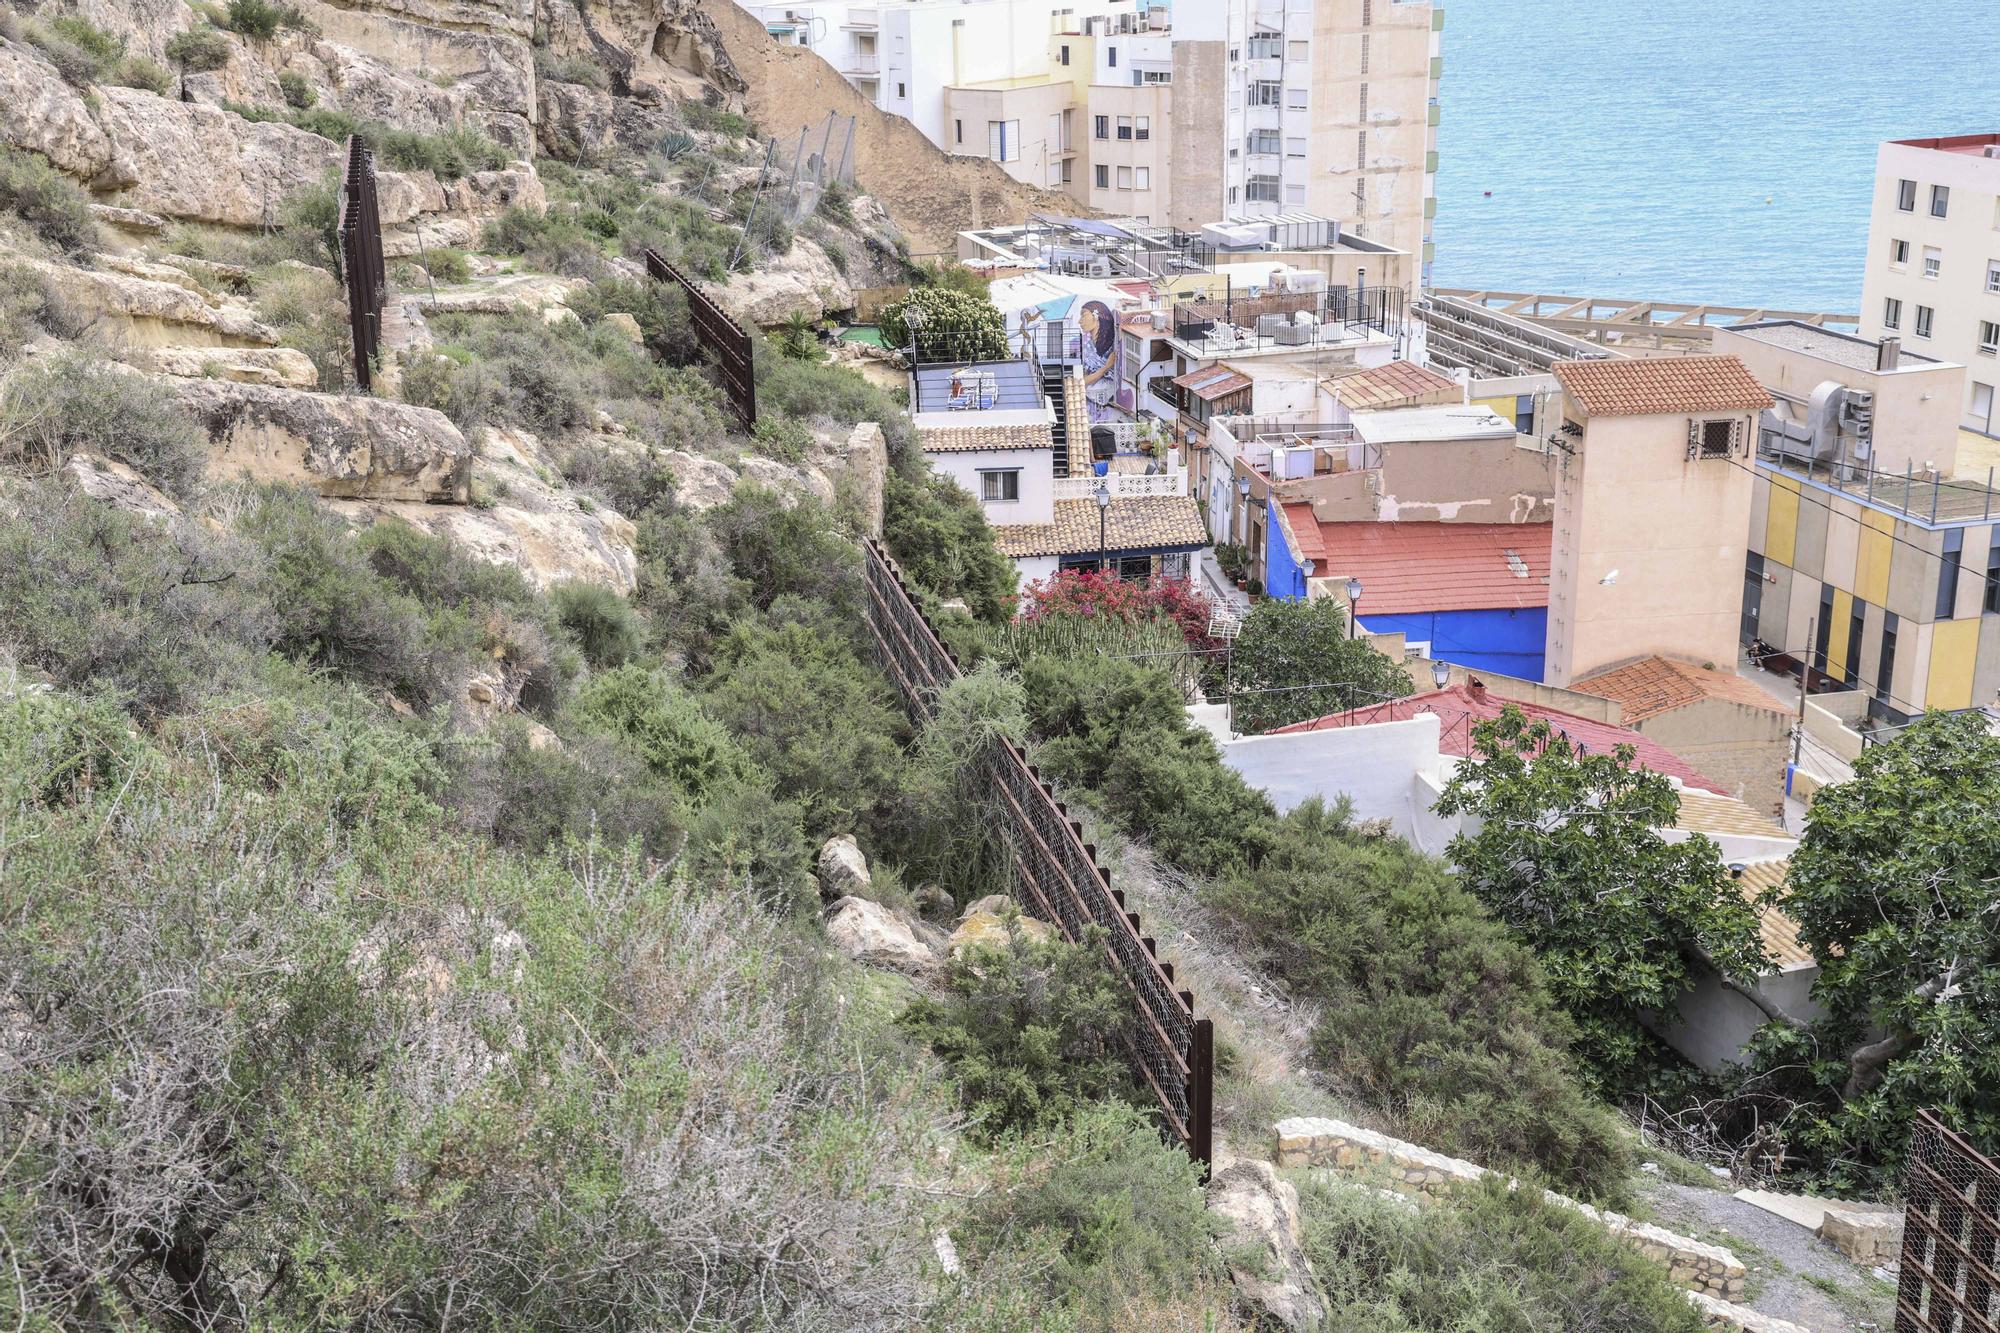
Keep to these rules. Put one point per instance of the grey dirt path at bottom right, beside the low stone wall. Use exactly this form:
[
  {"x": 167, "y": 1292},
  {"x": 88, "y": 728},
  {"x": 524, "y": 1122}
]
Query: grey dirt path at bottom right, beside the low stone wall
[{"x": 1793, "y": 1276}]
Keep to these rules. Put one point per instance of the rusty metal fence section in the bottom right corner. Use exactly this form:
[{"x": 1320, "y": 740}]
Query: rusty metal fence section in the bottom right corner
[{"x": 1951, "y": 1236}]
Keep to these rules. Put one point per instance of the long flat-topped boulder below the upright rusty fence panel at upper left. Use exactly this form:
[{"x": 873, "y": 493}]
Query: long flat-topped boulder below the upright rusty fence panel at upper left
[{"x": 347, "y": 447}]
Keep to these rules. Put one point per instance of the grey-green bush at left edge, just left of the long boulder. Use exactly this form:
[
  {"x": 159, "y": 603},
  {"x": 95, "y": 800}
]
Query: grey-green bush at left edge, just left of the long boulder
[{"x": 81, "y": 405}]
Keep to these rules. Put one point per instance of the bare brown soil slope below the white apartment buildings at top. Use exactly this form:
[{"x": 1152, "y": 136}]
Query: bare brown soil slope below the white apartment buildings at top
[{"x": 931, "y": 193}]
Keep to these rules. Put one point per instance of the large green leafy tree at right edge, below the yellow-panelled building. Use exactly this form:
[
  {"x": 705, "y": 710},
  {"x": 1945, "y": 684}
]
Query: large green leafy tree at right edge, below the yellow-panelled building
[{"x": 1895, "y": 892}]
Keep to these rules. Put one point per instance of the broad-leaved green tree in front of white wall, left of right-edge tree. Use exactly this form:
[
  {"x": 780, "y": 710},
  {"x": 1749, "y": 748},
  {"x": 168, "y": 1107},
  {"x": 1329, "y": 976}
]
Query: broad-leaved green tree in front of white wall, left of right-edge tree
[{"x": 1567, "y": 852}]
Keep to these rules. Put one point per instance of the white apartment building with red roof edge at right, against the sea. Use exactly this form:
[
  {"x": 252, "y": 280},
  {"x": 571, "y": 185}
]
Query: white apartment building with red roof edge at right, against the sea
[{"x": 1935, "y": 261}]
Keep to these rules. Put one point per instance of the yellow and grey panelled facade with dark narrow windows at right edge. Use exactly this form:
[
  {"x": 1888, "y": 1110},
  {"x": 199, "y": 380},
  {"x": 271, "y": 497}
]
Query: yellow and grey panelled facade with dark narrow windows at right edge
[{"x": 1889, "y": 583}]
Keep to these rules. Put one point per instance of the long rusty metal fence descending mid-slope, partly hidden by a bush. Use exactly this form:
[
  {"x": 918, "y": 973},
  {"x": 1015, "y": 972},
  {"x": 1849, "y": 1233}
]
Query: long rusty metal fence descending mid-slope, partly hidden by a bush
[{"x": 1059, "y": 878}]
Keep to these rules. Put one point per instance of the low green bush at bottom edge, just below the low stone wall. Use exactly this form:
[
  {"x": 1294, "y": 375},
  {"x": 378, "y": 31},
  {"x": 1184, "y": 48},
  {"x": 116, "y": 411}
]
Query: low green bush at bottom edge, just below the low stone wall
[{"x": 1485, "y": 1260}]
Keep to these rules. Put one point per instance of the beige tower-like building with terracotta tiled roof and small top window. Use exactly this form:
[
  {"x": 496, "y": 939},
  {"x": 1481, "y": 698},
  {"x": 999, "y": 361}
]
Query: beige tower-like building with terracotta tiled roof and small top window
[{"x": 1653, "y": 511}]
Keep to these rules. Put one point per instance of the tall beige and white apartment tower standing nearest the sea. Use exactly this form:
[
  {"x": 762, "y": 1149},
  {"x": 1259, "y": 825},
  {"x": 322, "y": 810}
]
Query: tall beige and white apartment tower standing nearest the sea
[{"x": 1329, "y": 107}]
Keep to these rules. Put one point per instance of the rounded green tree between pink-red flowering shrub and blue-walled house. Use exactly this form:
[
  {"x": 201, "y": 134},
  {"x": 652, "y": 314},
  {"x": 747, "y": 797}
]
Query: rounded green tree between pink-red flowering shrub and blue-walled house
[{"x": 1295, "y": 661}]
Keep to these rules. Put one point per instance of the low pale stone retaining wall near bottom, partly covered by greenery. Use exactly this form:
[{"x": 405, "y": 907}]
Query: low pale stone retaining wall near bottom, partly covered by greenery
[{"x": 1345, "y": 1148}]
